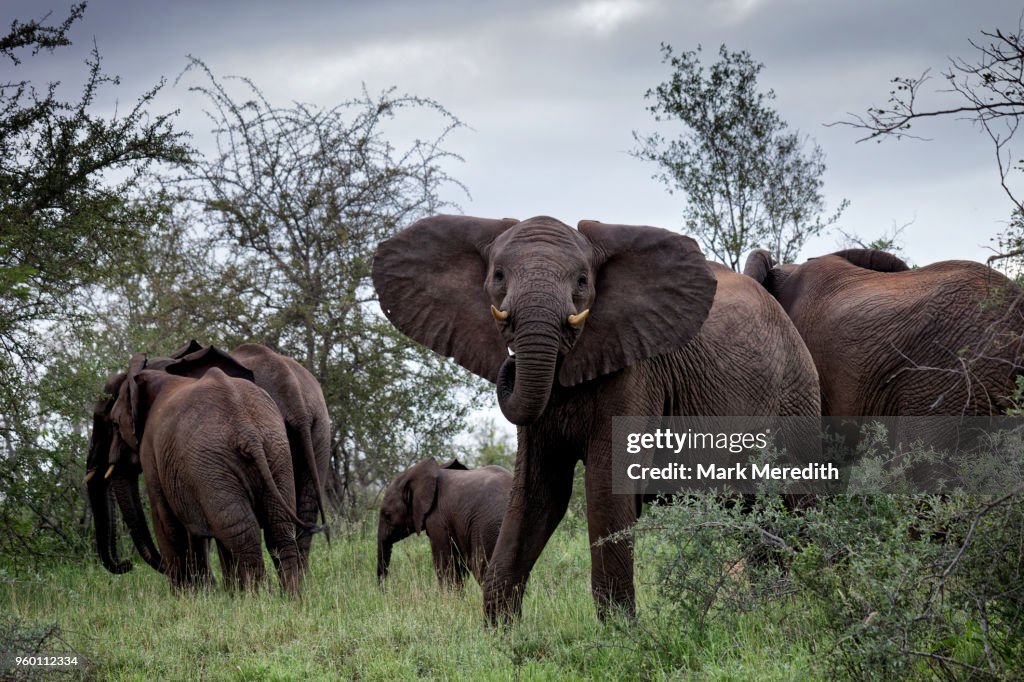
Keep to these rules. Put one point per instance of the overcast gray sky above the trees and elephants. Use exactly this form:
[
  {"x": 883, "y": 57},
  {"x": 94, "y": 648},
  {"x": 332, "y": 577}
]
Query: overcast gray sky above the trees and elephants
[{"x": 553, "y": 91}]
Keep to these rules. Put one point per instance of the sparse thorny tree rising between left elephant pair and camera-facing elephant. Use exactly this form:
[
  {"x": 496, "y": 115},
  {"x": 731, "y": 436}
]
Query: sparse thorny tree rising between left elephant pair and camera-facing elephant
[{"x": 293, "y": 202}]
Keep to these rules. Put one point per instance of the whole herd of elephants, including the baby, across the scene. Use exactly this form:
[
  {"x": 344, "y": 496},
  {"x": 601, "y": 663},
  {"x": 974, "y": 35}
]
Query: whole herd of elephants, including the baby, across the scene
[{"x": 603, "y": 321}]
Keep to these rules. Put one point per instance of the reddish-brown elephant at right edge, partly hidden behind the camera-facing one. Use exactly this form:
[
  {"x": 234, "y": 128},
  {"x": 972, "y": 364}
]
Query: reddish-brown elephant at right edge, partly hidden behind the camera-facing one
[{"x": 888, "y": 340}]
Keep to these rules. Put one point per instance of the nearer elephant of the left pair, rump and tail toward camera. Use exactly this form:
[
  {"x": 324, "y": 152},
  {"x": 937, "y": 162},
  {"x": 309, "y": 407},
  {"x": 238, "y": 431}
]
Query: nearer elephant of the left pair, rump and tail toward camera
[{"x": 216, "y": 456}]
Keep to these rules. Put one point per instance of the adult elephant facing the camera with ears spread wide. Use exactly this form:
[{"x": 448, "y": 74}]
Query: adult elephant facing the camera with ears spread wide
[{"x": 606, "y": 321}]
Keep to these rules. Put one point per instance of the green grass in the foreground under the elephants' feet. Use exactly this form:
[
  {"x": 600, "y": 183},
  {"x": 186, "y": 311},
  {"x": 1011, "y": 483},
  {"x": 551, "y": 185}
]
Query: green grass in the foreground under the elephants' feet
[{"x": 133, "y": 628}]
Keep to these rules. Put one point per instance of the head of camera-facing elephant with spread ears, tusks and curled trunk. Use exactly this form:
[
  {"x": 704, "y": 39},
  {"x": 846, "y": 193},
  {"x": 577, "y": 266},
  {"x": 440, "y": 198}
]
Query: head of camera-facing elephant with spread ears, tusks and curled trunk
[{"x": 572, "y": 305}]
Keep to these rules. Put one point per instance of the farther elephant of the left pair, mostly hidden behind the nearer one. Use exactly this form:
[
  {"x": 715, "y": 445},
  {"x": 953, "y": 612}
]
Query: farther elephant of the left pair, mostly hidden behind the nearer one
[{"x": 293, "y": 389}]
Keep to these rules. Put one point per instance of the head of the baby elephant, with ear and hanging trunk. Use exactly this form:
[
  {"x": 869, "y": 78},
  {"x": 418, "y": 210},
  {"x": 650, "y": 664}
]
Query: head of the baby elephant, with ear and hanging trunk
[{"x": 404, "y": 511}]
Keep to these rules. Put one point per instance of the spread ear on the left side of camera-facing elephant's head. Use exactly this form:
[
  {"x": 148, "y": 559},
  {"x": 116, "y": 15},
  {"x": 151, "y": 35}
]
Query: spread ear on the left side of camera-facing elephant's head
[{"x": 431, "y": 282}]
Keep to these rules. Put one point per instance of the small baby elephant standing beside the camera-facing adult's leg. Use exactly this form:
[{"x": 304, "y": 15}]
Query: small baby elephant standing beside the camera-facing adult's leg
[{"x": 461, "y": 510}]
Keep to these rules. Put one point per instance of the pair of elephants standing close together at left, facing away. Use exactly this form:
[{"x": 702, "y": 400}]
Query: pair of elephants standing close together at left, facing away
[{"x": 230, "y": 445}]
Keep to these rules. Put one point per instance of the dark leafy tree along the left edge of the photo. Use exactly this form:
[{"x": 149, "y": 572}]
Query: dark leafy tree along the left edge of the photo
[{"x": 65, "y": 226}]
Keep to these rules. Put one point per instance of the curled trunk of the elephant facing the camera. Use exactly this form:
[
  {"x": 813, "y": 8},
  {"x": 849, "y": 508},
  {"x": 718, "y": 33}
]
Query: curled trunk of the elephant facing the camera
[{"x": 526, "y": 379}]
